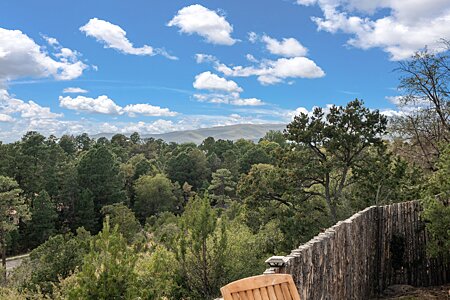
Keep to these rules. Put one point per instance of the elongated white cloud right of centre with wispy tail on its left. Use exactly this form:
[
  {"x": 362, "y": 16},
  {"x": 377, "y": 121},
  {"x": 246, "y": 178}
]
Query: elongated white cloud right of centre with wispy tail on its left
[{"x": 269, "y": 71}]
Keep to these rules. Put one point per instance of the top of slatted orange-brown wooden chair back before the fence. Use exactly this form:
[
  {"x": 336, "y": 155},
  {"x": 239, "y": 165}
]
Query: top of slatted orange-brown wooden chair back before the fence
[{"x": 262, "y": 287}]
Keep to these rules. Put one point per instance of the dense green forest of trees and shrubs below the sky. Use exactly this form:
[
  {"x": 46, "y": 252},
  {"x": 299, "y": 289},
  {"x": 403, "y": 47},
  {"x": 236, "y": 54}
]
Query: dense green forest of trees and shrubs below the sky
[{"x": 132, "y": 218}]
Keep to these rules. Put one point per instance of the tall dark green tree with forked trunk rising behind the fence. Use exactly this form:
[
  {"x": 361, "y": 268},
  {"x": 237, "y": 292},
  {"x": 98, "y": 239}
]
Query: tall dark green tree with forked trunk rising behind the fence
[{"x": 325, "y": 146}]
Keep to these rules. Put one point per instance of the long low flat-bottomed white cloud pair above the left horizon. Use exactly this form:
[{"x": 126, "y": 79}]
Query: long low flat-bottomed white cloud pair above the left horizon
[{"x": 104, "y": 105}]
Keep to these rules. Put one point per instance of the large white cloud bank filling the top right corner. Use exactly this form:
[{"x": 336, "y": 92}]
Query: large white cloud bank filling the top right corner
[{"x": 400, "y": 29}]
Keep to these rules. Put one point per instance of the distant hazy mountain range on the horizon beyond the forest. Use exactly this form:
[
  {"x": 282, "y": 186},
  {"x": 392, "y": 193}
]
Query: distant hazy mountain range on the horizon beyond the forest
[{"x": 232, "y": 132}]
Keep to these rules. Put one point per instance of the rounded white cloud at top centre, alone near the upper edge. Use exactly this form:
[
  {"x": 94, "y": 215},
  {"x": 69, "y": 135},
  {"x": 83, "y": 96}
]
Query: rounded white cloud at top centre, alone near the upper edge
[{"x": 204, "y": 22}]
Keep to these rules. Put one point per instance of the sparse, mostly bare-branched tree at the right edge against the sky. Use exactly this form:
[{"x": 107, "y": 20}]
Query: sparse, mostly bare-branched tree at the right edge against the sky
[{"x": 424, "y": 79}]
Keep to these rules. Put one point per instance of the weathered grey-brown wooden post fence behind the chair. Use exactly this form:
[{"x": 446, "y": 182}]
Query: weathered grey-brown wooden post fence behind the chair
[{"x": 360, "y": 257}]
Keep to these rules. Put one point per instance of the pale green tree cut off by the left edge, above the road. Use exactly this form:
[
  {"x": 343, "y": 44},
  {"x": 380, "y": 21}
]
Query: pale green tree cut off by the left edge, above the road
[{"x": 12, "y": 209}]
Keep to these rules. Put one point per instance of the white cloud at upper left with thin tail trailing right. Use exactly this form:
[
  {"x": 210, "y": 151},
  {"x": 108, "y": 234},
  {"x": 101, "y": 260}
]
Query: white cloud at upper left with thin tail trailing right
[{"x": 113, "y": 36}]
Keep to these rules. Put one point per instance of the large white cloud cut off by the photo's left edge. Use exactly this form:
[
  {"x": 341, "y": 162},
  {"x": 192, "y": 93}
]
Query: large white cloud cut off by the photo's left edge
[{"x": 20, "y": 56}]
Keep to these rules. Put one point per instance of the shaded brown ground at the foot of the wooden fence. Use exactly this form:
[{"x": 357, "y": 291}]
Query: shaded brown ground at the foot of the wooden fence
[{"x": 407, "y": 292}]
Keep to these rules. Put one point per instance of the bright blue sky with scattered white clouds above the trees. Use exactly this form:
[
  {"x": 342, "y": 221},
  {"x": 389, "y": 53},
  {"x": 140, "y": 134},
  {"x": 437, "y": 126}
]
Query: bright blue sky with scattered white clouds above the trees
[{"x": 68, "y": 67}]
